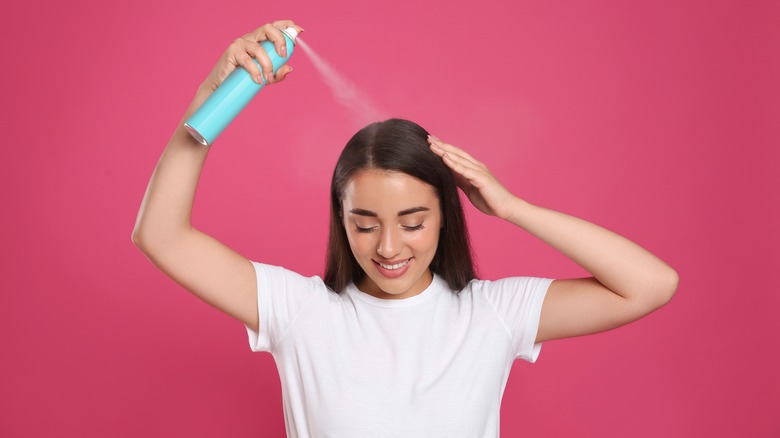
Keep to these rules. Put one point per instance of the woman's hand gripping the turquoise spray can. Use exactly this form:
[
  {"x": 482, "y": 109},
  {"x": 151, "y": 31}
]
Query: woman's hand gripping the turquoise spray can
[{"x": 244, "y": 49}]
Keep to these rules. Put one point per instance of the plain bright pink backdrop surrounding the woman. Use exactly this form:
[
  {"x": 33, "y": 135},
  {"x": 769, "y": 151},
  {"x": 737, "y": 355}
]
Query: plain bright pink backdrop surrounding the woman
[{"x": 658, "y": 120}]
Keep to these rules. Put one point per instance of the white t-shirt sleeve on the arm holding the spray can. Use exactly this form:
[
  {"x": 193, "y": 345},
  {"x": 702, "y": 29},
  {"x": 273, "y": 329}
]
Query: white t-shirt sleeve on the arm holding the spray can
[{"x": 281, "y": 296}]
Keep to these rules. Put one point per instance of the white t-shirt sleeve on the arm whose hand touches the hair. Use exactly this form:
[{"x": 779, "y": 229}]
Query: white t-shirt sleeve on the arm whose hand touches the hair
[{"x": 518, "y": 304}]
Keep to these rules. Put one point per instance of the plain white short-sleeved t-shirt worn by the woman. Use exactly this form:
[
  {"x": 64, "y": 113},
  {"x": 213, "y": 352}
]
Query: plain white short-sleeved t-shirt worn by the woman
[{"x": 433, "y": 365}]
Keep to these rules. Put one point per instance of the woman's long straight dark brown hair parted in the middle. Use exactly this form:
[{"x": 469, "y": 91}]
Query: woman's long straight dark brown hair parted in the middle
[{"x": 398, "y": 145}]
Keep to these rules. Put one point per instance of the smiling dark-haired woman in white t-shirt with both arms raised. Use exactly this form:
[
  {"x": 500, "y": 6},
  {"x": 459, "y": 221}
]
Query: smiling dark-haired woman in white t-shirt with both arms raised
[{"x": 399, "y": 338}]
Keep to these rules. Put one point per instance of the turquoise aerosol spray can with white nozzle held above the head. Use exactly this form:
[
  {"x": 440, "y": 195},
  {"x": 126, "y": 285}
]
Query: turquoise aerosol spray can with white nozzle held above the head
[{"x": 233, "y": 95}]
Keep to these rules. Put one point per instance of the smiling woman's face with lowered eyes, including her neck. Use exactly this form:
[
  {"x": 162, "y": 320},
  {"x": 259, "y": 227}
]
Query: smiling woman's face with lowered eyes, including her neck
[{"x": 392, "y": 222}]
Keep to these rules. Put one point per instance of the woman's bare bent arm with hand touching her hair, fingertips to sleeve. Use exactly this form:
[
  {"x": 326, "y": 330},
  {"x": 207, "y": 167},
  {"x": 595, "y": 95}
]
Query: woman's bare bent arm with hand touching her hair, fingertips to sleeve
[{"x": 628, "y": 281}]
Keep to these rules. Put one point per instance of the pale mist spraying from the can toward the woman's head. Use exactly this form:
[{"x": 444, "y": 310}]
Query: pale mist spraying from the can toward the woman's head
[{"x": 344, "y": 91}]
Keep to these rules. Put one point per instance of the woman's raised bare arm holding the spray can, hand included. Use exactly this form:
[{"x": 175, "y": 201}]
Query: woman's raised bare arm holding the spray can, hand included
[{"x": 163, "y": 230}]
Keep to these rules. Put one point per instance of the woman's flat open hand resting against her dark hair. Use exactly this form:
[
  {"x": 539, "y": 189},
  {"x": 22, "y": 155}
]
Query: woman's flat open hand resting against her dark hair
[{"x": 474, "y": 178}]
